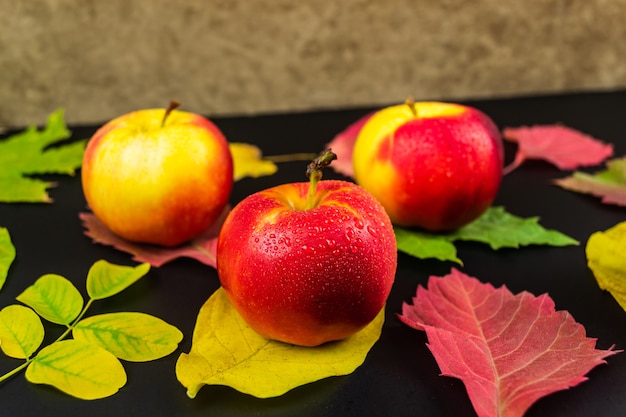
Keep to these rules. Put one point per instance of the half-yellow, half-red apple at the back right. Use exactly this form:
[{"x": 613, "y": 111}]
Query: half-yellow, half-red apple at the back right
[{"x": 437, "y": 166}]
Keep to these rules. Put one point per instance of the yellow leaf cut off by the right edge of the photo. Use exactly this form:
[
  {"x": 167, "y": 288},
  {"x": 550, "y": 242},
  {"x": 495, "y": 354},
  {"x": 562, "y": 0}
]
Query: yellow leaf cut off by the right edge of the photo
[{"x": 606, "y": 257}]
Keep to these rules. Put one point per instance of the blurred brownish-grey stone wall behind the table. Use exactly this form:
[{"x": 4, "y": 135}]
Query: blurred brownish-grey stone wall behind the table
[{"x": 100, "y": 59}]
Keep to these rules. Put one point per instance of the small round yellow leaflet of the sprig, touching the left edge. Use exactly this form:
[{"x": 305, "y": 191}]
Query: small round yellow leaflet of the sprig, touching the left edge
[{"x": 21, "y": 331}]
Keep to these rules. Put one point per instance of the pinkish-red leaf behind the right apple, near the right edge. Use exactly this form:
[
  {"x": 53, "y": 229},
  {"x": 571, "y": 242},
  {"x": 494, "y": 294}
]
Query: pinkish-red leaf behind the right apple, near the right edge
[{"x": 562, "y": 146}]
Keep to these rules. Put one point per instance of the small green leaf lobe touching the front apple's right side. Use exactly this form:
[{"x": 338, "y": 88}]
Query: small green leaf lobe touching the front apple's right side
[{"x": 425, "y": 245}]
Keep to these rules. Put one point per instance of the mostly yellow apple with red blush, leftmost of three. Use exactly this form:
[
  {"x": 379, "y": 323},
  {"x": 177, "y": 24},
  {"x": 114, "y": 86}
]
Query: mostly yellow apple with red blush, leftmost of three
[{"x": 157, "y": 184}]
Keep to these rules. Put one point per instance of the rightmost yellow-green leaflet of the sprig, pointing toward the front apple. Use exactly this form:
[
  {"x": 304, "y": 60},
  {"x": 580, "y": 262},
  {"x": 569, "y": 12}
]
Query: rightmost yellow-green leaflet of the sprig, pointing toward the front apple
[{"x": 135, "y": 337}]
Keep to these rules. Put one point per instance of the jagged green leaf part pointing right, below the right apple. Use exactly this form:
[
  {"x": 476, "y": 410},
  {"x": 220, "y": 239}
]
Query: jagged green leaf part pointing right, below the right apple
[{"x": 500, "y": 229}]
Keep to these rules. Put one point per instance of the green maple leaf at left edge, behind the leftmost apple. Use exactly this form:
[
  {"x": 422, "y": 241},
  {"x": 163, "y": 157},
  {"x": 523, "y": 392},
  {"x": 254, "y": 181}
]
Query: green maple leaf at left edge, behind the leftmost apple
[{"x": 31, "y": 153}]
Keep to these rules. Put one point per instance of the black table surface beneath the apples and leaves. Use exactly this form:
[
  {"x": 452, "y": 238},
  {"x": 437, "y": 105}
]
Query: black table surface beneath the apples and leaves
[{"x": 400, "y": 376}]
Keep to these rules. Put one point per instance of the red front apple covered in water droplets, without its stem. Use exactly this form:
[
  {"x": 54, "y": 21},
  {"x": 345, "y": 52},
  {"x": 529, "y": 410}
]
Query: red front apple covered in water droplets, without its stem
[{"x": 307, "y": 276}]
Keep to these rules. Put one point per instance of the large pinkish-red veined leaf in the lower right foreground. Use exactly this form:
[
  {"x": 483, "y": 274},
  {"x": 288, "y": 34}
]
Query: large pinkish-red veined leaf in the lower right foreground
[{"x": 509, "y": 350}]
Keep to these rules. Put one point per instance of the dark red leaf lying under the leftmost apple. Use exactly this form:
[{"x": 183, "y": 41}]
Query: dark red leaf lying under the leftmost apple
[{"x": 202, "y": 248}]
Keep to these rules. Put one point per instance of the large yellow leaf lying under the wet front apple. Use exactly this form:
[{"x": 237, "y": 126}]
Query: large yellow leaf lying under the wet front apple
[{"x": 225, "y": 351}]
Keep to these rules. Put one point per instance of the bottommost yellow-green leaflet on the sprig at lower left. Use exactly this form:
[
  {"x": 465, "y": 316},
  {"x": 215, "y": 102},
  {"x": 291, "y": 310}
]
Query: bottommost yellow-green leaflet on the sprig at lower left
[{"x": 77, "y": 368}]
